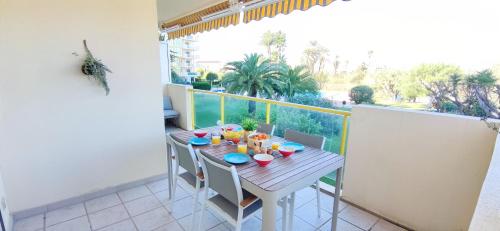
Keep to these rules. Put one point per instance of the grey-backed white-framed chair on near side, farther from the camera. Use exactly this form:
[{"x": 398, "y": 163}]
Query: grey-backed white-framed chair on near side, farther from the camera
[{"x": 185, "y": 157}]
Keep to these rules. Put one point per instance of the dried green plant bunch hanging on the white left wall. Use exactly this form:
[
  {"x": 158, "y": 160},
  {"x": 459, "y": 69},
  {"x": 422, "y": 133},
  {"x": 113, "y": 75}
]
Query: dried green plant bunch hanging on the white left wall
[{"x": 95, "y": 69}]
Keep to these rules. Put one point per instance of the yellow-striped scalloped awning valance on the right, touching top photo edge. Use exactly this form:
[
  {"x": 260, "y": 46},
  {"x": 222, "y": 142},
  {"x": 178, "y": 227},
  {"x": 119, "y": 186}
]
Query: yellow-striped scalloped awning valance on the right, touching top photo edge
[{"x": 281, "y": 7}]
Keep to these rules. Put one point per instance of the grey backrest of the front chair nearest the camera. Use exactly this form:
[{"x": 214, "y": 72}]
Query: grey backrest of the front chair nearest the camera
[{"x": 221, "y": 177}]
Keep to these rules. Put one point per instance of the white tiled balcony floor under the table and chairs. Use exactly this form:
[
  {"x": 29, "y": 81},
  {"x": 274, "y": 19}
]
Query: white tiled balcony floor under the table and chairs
[{"x": 146, "y": 208}]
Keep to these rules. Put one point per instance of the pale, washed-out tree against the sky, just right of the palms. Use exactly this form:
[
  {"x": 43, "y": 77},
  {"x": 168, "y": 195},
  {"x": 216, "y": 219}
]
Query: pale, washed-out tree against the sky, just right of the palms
[{"x": 315, "y": 57}]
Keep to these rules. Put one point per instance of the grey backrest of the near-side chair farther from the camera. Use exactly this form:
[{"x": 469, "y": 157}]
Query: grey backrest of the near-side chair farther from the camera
[{"x": 185, "y": 156}]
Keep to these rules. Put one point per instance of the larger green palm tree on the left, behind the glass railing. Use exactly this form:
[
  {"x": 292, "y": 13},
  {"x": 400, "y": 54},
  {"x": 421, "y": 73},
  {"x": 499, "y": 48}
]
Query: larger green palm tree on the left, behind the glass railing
[{"x": 253, "y": 76}]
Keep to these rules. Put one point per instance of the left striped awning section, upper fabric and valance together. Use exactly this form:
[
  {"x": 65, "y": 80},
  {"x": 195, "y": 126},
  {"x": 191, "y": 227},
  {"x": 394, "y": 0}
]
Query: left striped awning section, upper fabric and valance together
[{"x": 197, "y": 22}]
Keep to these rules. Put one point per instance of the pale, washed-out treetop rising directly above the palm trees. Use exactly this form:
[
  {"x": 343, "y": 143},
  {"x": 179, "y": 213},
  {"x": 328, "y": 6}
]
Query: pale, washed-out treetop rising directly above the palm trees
[{"x": 275, "y": 43}]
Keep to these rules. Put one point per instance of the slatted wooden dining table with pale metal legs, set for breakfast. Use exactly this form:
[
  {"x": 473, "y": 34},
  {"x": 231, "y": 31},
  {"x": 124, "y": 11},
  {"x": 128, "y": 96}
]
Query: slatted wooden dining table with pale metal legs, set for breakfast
[{"x": 280, "y": 178}]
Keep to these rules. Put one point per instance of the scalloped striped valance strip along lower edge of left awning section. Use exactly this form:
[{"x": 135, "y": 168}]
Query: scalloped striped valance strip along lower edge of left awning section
[{"x": 205, "y": 26}]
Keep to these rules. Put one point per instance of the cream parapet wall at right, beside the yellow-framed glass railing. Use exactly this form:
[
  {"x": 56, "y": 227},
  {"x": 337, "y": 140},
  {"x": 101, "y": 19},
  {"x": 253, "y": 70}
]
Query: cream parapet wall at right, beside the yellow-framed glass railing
[{"x": 420, "y": 169}]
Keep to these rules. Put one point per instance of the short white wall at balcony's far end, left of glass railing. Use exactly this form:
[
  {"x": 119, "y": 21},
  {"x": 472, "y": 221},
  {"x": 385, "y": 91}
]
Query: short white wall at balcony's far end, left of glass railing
[{"x": 181, "y": 102}]
